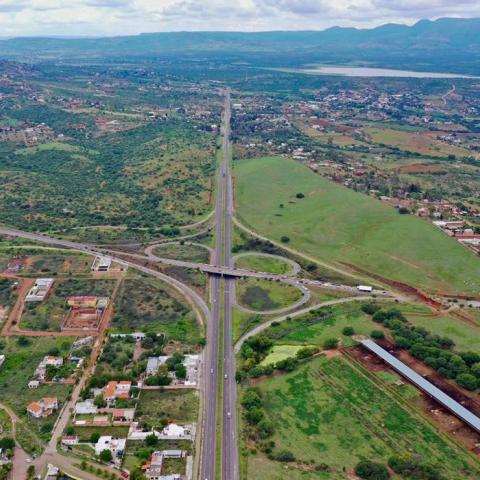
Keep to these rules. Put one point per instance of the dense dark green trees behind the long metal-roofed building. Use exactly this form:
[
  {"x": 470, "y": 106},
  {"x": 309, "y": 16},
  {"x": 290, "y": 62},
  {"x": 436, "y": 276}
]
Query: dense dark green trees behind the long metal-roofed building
[{"x": 434, "y": 350}]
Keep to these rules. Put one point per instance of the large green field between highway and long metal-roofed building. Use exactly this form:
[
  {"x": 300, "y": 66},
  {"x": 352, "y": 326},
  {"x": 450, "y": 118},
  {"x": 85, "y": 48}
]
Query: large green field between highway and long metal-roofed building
[{"x": 330, "y": 412}]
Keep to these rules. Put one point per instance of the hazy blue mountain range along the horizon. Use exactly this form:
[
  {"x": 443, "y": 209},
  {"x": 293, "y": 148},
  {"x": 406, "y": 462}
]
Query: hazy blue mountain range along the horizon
[{"x": 449, "y": 44}]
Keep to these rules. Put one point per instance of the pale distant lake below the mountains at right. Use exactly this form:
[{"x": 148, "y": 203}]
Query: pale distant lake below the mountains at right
[{"x": 378, "y": 72}]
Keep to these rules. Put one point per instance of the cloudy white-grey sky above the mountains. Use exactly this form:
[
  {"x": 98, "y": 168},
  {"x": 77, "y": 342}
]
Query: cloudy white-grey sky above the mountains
[{"x": 120, "y": 17}]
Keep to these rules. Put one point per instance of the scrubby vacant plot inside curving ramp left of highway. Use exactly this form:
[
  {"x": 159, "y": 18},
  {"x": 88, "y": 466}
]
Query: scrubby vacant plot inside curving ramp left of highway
[{"x": 148, "y": 305}]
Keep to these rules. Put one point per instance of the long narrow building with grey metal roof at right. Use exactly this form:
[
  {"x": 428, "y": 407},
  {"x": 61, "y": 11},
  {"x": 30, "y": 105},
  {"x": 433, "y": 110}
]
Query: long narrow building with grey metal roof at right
[{"x": 441, "y": 397}]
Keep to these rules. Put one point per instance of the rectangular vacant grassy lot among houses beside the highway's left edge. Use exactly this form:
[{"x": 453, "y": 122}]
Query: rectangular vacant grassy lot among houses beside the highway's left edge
[{"x": 157, "y": 407}]
